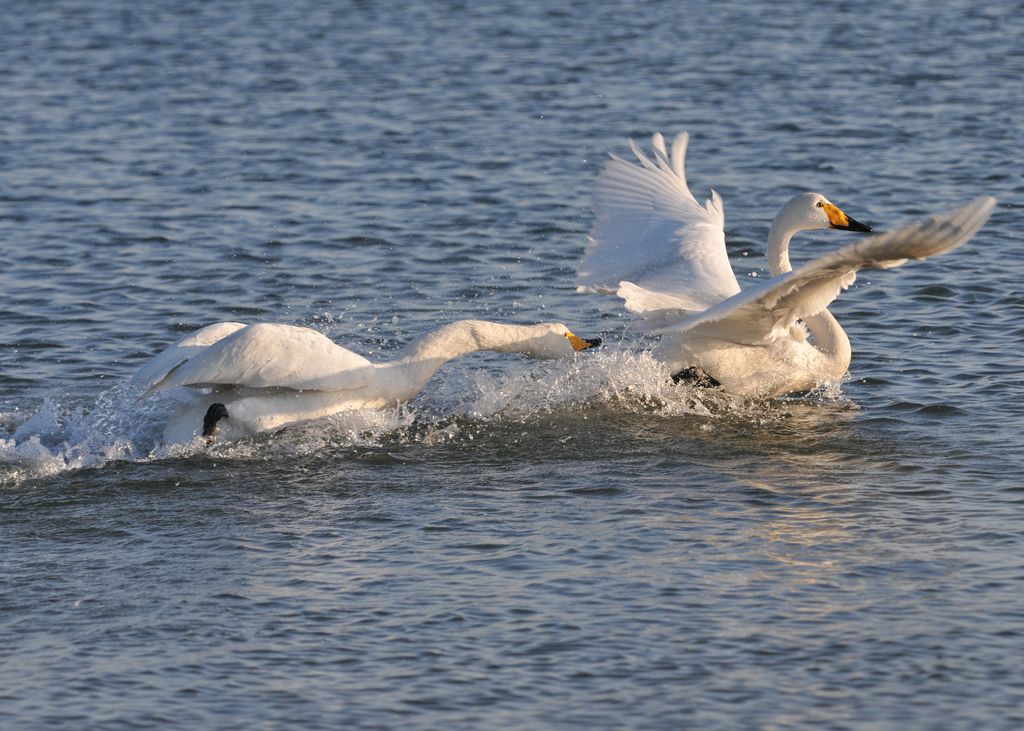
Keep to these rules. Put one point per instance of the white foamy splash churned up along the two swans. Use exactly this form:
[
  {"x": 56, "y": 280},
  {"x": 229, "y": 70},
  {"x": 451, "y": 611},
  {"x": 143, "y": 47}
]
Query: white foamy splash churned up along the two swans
[{"x": 121, "y": 426}]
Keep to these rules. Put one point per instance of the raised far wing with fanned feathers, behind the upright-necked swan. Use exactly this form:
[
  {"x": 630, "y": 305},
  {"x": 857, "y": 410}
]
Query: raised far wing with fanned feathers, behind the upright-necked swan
[{"x": 653, "y": 233}]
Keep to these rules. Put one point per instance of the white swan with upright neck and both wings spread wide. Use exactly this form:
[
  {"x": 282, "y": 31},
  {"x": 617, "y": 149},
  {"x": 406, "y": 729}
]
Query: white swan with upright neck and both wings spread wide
[{"x": 656, "y": 247}]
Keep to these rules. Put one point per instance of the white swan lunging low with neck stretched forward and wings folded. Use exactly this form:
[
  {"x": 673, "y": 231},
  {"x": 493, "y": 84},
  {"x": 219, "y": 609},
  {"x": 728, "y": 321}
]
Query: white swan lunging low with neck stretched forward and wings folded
[{"x": 247, "y": 379}]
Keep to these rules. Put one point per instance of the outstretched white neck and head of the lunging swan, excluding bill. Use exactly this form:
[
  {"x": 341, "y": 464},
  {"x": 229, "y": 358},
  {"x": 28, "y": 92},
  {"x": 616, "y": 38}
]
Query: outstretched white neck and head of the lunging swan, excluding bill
[{"x": 406, "y": 376}]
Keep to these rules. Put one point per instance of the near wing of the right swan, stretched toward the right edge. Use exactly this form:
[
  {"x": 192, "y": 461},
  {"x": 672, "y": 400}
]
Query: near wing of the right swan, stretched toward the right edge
[{"x": 761, "y": 314}]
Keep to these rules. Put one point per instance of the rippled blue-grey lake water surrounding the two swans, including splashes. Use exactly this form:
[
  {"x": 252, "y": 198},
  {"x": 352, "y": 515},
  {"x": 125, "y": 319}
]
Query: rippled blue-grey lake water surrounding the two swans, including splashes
[{"x": 528, "y": 545}]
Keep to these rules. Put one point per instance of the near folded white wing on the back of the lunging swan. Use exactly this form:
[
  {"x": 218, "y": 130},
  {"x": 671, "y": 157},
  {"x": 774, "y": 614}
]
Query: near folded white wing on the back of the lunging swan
[{"x": 268, "y": 356}]
